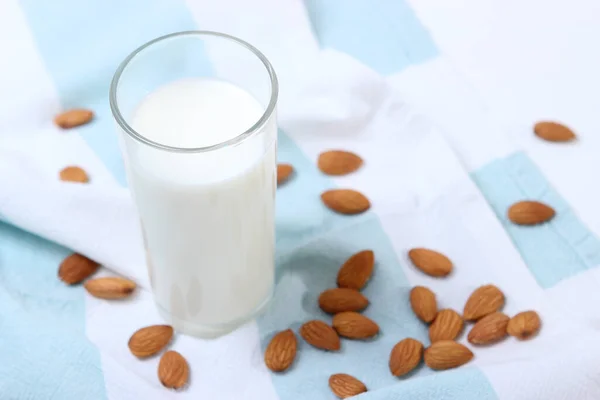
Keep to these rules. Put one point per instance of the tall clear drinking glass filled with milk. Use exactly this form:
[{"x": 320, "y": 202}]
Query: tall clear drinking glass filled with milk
[{"x": 196, "y": 117}]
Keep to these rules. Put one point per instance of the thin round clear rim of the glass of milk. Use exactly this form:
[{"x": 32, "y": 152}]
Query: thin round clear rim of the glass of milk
[{"x": 258, "y": 125}]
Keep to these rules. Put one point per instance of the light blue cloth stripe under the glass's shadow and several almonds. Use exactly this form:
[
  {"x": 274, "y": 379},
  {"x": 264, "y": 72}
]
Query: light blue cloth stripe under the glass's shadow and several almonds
[{"x": 312, "y": 243}]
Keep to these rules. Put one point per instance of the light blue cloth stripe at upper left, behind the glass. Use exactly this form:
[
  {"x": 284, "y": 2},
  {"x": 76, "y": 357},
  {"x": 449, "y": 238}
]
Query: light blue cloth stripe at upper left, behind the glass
[{"x": 82, "y": 45}]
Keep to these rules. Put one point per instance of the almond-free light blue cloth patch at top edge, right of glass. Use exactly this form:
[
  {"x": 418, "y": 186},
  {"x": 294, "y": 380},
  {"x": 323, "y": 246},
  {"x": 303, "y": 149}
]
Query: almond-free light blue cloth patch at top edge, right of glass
[{"x": 384, "y": 34}]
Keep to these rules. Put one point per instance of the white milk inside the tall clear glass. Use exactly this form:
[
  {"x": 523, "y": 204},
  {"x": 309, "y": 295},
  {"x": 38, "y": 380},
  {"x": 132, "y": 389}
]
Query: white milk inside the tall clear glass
[{"x": 208, "y": 218}]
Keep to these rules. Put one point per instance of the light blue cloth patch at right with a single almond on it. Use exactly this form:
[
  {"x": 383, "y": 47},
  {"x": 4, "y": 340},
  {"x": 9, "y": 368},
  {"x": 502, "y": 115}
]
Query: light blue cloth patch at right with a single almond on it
[{"x": 552, "y": 251}]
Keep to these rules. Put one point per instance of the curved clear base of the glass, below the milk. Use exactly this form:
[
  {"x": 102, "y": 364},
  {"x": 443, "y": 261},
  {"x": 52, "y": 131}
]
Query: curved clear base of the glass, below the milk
[{"x": 210, "y": 331}]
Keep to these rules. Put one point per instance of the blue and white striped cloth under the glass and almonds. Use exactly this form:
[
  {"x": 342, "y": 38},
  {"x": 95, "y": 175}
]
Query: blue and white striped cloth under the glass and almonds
[{"x": 438, "y": 97}]
